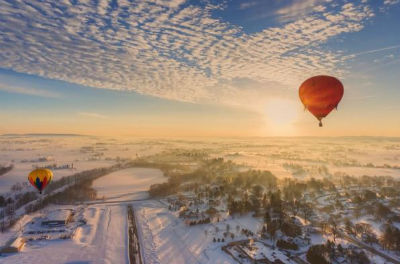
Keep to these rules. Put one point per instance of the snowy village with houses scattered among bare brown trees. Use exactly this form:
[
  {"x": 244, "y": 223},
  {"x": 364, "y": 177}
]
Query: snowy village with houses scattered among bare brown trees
[{"x": 313, "y": 221}]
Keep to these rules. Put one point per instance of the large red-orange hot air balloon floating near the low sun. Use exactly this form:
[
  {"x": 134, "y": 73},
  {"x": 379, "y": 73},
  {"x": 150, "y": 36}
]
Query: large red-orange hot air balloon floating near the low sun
[{"x": 320, "y": 95}]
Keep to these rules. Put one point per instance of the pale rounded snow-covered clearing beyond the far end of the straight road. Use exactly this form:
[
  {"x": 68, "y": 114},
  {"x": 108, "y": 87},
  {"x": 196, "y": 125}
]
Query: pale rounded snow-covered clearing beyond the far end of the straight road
[{"x": 132, "y": 183}]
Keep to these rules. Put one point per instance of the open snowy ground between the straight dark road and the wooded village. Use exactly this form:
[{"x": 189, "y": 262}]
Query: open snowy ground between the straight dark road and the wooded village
[{"x": 167, "y": 239}]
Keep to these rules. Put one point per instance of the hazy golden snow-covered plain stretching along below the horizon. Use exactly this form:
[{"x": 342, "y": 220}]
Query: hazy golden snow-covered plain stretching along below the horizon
[{"x": 286, "y": 157}]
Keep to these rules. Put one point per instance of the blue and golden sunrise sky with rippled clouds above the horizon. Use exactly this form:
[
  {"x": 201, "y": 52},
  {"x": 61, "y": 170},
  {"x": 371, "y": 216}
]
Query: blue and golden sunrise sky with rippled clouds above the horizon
[{"x": 196, "y": 68}]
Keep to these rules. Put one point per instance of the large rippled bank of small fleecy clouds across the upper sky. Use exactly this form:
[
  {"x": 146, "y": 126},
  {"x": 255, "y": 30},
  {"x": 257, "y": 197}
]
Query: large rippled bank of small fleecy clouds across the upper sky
[{"x": 170, "y": 49}]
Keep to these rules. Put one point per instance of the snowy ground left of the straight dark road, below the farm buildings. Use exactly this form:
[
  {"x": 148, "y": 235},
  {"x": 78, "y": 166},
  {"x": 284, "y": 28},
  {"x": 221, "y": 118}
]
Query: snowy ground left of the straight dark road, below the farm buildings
[{"x": 102, "y": 240}]
